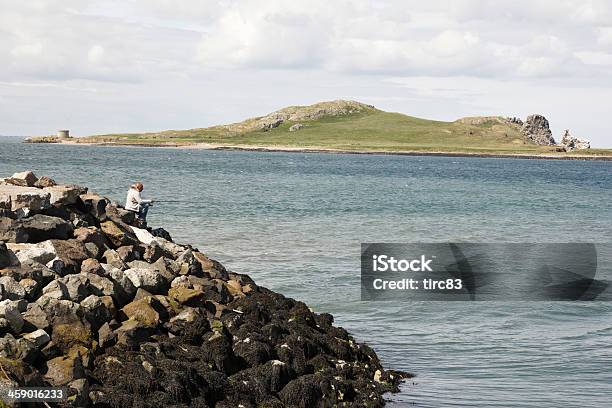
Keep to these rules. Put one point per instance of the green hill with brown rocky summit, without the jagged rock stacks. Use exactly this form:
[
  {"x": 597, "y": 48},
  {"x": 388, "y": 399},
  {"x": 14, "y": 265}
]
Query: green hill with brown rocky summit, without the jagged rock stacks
[{"x": 351, "y": 126}]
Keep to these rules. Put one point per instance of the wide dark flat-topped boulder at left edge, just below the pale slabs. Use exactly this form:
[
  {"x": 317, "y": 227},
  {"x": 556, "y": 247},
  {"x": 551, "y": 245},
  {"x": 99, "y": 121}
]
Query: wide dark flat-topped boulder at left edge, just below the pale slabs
[{"x": 34, "y": 229}]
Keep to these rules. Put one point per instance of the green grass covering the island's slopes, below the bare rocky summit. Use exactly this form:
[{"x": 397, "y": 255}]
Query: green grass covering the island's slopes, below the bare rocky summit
[{"x": 369, "y": 131}]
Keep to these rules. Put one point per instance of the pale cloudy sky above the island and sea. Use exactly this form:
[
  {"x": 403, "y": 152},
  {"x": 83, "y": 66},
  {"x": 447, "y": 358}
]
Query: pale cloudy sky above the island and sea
[{"x": 125, "y": 66}]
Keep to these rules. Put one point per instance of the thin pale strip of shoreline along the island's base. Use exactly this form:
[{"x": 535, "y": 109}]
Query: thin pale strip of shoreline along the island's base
[{"x": 290, "y": 149}]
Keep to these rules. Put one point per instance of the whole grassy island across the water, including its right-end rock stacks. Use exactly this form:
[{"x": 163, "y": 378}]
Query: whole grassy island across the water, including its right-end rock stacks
[{"x": 354, "y": 127}]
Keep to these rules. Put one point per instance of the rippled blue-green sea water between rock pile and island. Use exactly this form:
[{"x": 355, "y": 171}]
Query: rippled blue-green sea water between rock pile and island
[{"x": 295, "y": 222}]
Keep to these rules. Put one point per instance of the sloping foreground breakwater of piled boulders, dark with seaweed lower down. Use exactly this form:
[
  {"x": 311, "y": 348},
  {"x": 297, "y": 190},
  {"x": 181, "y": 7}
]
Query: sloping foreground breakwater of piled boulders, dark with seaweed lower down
[{"x": 125, "y": 317}]
